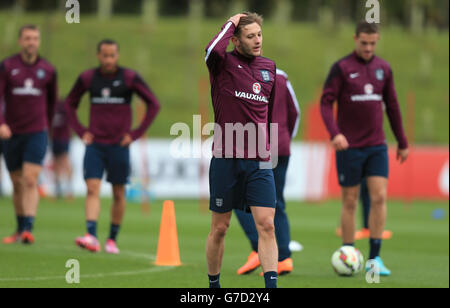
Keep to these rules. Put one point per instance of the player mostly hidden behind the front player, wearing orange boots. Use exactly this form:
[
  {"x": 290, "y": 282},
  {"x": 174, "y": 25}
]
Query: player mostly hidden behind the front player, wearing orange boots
[{"x": 286, "y": 114}]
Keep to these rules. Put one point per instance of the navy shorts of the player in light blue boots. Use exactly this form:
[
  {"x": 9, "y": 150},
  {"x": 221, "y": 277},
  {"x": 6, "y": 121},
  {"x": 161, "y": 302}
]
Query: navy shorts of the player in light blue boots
[{"x": 353, "y": 165}]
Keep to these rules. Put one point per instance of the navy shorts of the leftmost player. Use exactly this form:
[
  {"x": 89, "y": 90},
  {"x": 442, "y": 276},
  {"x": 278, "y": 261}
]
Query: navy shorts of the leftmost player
[{"x": 25, "y": 148}]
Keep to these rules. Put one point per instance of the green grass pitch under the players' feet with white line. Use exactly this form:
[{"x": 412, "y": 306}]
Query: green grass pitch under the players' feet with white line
[{"x": 418, "y": 254}]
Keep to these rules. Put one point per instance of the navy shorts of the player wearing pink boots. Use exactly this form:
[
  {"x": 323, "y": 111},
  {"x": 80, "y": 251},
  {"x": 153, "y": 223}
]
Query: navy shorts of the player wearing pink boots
[{"x": 114, "y": 159}]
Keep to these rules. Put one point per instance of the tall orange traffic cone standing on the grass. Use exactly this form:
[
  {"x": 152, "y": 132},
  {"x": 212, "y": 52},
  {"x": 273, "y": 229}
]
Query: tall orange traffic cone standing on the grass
[{"x": 168, "y": 253}]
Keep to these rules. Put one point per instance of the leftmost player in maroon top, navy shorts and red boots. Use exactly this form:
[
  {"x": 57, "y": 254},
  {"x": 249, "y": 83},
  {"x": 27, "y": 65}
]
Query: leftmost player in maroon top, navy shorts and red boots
[{"x": 29, "y": 86}]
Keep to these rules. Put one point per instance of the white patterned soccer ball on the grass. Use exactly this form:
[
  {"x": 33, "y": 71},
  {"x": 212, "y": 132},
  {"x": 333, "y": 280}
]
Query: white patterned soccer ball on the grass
[{"x": 347, "y": 261}]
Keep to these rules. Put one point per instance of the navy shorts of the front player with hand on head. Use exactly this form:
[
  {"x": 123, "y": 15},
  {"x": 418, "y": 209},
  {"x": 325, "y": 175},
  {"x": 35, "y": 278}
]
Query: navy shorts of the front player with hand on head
[{"x": 240, "y": 184}]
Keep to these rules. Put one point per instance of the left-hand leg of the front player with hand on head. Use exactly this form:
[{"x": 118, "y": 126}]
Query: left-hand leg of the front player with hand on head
[{"x": 215, "y": 246}]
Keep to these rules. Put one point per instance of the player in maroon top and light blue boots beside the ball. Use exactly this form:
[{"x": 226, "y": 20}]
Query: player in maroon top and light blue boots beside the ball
[{"x": 360, "y": 83}]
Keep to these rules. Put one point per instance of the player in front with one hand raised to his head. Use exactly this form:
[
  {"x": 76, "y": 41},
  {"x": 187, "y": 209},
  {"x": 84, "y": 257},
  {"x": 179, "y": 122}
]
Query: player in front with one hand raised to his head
[{"x": 243, "y": 90}]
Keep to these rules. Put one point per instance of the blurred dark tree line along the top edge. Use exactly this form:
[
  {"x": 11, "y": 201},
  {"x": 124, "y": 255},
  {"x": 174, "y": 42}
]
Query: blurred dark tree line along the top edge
[{"x": 411, "y": 14}]
